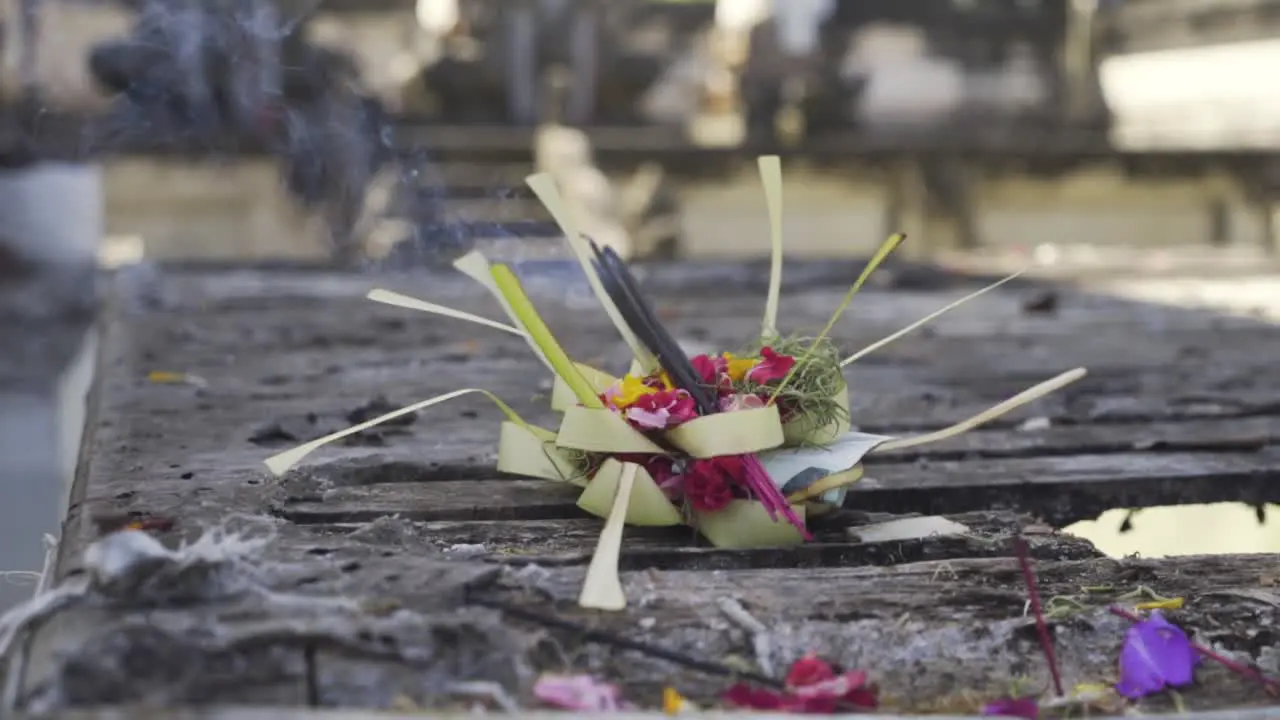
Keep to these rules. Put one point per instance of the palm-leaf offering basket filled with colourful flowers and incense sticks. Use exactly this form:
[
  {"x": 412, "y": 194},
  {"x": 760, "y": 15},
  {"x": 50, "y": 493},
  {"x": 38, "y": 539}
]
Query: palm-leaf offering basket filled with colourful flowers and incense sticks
[{"x": 742, "y": 446}]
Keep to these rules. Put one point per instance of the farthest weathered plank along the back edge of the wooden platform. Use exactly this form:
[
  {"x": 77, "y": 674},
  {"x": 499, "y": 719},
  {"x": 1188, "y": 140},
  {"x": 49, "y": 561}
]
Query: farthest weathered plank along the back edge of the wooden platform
[{"x": 697, "y": 294}]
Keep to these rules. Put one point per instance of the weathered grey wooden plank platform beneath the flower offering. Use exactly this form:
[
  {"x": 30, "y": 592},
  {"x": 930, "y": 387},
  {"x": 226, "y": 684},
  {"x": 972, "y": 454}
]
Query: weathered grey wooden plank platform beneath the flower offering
[{"x": 452, "y": 573}]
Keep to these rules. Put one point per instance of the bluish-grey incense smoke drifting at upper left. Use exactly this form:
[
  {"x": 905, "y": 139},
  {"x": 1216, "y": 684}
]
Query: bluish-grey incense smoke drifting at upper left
[{"x": 226, "y": 76}]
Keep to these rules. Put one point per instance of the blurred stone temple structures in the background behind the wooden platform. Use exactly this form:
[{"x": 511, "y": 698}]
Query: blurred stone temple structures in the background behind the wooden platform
[{"x": 397, "y": 134}]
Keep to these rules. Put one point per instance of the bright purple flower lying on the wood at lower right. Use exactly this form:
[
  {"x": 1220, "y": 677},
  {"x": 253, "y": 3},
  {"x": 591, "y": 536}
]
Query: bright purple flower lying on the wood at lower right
[{"x": 1155, "y": 655}]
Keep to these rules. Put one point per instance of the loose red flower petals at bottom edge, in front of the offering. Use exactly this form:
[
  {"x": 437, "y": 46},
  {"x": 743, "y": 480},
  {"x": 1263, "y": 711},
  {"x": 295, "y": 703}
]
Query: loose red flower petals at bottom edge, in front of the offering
[{"x": 813, "y": 687}]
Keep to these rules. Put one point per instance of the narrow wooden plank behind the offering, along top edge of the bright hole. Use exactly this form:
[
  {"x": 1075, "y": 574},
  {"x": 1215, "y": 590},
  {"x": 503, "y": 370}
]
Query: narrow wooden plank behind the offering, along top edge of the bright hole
[{"x": 1062, "y": 489}]
